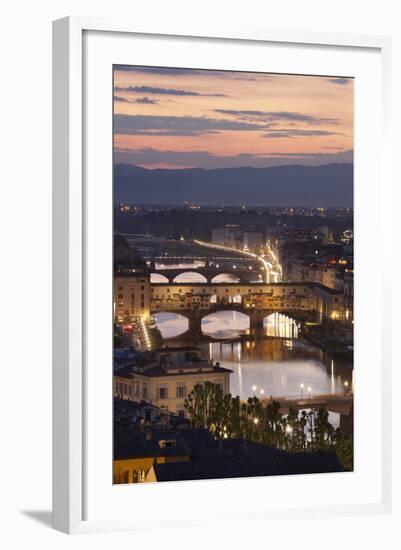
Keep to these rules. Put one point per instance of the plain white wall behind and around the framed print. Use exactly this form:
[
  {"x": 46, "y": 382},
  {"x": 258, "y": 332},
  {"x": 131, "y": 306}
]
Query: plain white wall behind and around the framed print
[{"x": 25, "y": 185}]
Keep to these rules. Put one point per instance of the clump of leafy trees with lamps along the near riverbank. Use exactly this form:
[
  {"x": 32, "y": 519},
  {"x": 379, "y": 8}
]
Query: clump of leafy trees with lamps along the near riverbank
[{"x": 226, "y": 417}]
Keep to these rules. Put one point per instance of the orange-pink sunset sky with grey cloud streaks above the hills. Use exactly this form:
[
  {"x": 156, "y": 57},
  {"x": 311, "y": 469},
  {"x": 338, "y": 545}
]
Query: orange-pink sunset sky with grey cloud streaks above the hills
[{"x": 182, "y": 118}]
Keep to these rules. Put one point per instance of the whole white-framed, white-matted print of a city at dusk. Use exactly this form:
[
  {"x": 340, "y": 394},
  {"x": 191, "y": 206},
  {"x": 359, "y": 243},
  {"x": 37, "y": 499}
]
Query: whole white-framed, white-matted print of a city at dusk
[{"x": 215, "y": 274}]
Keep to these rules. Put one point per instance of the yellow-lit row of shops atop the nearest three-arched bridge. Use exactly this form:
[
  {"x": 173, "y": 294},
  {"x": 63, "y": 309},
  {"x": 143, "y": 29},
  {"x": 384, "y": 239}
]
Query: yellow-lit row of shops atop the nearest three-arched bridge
[{"x": 135, "y": 296}]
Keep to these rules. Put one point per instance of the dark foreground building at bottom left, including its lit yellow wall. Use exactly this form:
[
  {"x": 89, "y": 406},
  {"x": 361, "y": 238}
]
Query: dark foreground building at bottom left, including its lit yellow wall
[{"x": 167, "y": 449}]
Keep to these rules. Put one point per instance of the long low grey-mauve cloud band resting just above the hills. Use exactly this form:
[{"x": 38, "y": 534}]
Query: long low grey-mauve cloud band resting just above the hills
[{"x": 207, "y": 159}]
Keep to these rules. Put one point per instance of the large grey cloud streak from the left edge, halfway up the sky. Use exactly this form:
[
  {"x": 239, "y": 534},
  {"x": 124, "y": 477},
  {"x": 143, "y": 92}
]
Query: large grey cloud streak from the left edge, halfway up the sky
[{"x": 179, "y": 126}]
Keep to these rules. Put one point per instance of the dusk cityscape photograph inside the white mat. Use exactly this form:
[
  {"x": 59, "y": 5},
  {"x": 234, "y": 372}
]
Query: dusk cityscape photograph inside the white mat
[{"x": 232, "y": 307}]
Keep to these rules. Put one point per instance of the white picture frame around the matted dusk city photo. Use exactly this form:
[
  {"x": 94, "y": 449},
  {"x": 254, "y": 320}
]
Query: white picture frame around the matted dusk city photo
[{"x": 71, "y": 422}]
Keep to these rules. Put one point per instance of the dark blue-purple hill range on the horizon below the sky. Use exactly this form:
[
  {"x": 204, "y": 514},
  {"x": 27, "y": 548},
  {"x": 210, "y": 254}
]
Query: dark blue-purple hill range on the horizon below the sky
[{"x": 294, "y": 185}]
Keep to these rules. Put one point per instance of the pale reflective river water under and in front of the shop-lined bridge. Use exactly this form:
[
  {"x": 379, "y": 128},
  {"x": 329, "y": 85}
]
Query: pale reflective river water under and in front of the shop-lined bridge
[{"x": 277, "y": 365}]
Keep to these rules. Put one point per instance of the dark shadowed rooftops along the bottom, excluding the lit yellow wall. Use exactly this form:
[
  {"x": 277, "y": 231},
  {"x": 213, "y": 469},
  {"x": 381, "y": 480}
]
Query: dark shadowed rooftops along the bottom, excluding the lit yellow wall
[{"x": 214, "y": 459}]
